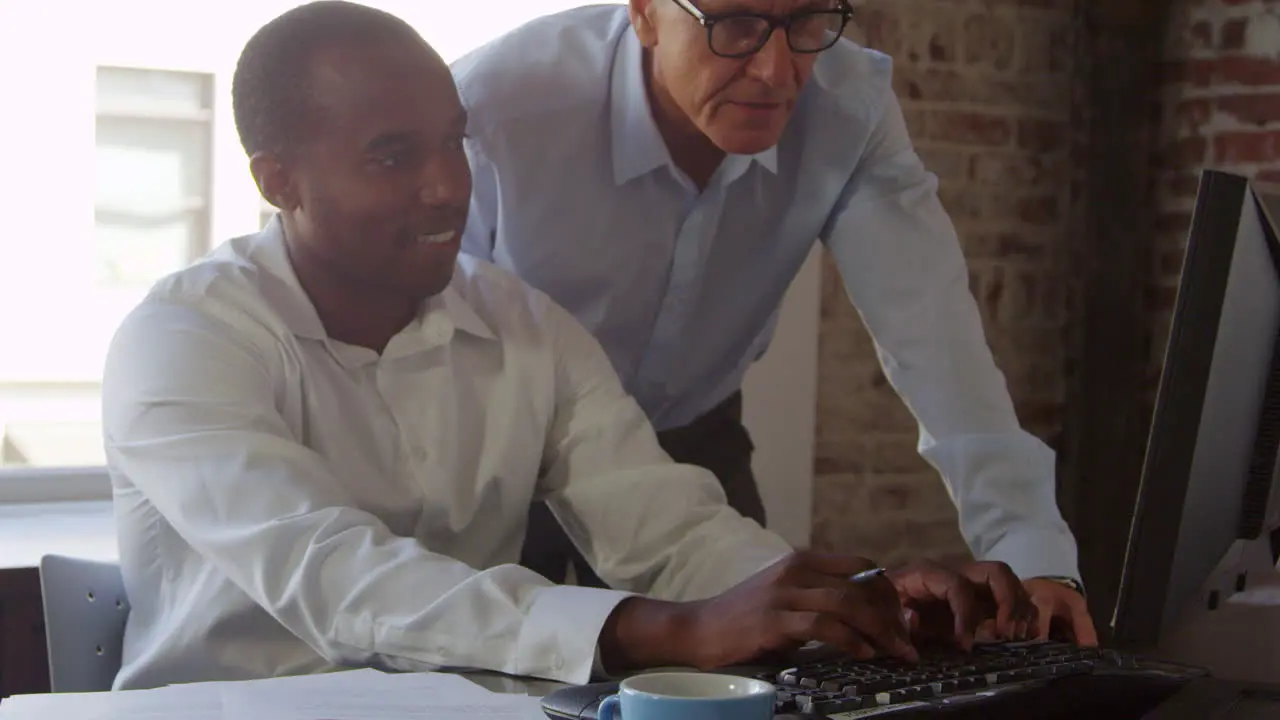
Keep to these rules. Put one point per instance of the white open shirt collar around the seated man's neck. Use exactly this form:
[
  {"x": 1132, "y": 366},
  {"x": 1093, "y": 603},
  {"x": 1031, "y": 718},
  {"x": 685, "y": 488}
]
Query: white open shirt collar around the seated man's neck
[{"x": 285, "y": 294}]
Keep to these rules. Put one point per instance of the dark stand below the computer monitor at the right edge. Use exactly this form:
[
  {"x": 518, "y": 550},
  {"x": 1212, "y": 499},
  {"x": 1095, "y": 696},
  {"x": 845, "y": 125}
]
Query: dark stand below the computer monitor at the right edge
[{"x": 1237, "y": 637}]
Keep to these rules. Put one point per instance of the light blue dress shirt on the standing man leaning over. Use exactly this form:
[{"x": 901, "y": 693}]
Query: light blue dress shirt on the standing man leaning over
[{"x": 577, "y": 194}]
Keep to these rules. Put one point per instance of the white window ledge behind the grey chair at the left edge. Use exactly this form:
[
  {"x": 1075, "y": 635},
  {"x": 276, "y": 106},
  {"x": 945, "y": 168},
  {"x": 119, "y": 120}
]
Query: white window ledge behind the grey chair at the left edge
[{"x": 80, "y": 530}]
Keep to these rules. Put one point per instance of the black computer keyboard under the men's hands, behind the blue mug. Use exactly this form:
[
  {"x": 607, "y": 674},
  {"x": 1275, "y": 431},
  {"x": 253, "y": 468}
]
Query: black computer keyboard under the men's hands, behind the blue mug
[{"x": 1023, "y": 680}]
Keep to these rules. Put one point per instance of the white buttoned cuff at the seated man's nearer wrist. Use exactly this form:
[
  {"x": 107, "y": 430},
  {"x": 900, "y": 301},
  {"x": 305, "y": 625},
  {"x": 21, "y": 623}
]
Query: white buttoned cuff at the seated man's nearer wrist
[{"x": 560, "y": 640}]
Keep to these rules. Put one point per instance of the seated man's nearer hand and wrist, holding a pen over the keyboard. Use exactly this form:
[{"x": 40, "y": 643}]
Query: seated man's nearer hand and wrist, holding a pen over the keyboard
[{"x": 803, "y": 598}]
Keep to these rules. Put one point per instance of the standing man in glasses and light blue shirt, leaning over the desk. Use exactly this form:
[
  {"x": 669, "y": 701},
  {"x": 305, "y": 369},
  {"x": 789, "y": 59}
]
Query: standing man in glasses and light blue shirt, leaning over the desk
[{"x": 664, "y": 168}]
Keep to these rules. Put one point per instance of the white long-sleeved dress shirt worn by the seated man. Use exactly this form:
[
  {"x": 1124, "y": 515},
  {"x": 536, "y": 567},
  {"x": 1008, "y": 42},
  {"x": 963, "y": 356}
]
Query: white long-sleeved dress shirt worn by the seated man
[{"x": 290, "y": 504}]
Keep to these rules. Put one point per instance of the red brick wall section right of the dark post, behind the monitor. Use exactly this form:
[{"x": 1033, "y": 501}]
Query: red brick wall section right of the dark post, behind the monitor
[{"x": 1220, "y": 110}]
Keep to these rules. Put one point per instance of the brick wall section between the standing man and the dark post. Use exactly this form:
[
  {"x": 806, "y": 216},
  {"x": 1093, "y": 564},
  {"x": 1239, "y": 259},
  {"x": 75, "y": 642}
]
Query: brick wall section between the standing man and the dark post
[{"x": 986, "y": 88}]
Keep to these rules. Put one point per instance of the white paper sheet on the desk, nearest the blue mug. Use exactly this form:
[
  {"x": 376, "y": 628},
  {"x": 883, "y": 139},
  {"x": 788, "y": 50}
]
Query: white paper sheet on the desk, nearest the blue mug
[{"x": 262, "y": 703}]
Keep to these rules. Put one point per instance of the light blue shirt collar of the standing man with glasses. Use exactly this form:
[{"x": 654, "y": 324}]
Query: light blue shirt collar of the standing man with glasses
[{"x": 638, "y": 147}]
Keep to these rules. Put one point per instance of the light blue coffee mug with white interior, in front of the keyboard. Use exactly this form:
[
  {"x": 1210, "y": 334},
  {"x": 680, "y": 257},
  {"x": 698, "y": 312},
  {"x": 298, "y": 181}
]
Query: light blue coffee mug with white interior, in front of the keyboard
[{"x": 689, "y": 696}]
